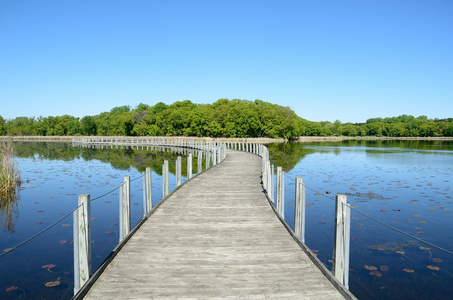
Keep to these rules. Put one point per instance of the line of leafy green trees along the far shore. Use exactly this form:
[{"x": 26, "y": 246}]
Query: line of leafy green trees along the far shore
[{"x": 223, "y": 118}]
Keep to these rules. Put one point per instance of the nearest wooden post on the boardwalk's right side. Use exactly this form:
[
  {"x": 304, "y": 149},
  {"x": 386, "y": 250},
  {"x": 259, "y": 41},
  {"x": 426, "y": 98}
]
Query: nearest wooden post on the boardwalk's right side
[{"x": 342, "y": 240}]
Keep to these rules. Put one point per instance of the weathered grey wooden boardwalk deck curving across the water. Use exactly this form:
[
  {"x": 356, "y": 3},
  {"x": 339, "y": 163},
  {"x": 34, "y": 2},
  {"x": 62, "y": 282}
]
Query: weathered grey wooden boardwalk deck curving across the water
[{"x": 216, "y": 237}]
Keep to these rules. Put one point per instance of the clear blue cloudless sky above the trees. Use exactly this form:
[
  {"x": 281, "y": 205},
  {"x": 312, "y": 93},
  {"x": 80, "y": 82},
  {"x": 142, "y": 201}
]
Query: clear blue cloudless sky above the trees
[{"x": 347, "y": 60}]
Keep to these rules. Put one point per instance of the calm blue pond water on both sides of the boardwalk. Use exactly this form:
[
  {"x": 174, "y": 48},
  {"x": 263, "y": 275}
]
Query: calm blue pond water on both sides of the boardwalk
[{"x": 405, "y": 185}]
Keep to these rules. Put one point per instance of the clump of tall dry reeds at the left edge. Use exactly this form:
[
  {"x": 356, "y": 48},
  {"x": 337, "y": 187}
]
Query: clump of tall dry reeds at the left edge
[{"x": 9, "y": 173}]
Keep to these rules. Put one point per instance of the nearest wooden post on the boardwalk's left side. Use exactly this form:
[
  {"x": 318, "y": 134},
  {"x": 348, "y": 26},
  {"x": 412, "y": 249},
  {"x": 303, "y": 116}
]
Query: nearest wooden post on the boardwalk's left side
[{"x": 82, "y": 244}]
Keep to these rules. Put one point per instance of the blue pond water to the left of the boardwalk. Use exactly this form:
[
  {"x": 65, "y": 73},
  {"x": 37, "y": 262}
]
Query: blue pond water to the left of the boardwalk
[{"x": 53, "y": 175}]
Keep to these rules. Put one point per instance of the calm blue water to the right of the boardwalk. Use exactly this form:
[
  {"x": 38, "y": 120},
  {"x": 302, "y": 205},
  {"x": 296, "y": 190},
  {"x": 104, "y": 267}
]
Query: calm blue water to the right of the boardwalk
[{"x": 407, "y": 185}]
